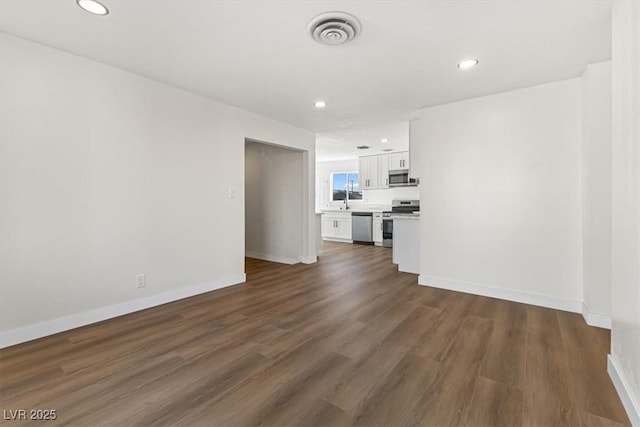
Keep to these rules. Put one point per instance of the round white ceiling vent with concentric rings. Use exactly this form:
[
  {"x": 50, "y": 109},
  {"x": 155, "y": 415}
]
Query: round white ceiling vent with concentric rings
[{"x": 334, "y": 28}]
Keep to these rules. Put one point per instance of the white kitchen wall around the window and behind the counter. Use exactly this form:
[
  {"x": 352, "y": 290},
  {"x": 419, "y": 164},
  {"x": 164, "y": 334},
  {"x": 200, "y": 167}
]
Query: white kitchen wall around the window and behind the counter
[{"x": 382, "y": 197}]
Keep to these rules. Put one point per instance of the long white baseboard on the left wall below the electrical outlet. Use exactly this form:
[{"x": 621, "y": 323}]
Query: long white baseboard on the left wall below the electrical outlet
[{"x": 50, "y": 327}]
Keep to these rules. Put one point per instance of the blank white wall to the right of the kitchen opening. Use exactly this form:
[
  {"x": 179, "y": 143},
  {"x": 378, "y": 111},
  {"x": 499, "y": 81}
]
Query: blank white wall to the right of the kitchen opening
[{"x": 500, "y": 186}]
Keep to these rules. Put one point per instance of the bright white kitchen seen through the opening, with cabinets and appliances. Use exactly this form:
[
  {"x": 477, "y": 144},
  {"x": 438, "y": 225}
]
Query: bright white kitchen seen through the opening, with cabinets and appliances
[{"x": 366, "y": 193}]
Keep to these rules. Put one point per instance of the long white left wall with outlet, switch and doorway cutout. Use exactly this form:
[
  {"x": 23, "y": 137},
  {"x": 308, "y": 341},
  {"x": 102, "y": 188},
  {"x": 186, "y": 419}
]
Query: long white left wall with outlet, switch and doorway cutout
[{"x": 105, "y": 175}]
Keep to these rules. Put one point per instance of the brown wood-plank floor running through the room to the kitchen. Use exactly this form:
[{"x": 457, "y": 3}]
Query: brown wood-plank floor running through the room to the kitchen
[{"x": 346, "y": 341}]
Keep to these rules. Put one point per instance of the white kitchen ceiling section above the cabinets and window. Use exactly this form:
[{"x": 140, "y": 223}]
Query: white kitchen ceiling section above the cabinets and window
[{"x": 341, "y": 144}]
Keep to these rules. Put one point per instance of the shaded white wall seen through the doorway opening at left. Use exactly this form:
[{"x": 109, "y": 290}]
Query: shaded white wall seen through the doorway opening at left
[{"x": 273, "y": 203}]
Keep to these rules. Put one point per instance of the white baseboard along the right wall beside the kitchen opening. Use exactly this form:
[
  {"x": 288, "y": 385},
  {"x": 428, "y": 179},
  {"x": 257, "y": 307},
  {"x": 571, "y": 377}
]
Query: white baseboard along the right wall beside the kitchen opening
[{"x": 506, "y": 294}]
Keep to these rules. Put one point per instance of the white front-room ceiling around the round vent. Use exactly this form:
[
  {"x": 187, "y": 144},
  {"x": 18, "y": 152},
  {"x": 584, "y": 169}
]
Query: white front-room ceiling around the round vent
[{"x": 256, "y": 54}]
